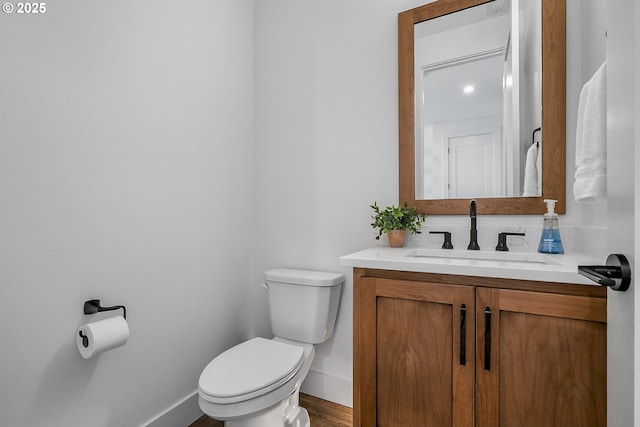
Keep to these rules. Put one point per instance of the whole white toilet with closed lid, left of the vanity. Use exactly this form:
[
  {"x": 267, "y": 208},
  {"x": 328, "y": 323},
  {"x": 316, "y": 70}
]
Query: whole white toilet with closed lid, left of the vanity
[{"x": 257, "y": 382}]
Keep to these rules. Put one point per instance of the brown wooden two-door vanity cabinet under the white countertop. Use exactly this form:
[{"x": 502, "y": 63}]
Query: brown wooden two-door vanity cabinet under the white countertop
[{"x": 446, "y": 350}]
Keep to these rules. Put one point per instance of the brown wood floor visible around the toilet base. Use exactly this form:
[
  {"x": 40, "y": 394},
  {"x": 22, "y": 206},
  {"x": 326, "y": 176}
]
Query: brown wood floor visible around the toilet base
[{"x": 322, "y": 413}]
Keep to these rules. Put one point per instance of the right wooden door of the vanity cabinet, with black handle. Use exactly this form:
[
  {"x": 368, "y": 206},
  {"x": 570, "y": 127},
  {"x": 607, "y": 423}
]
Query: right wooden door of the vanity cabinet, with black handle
[{"x": 541, "y": 359}]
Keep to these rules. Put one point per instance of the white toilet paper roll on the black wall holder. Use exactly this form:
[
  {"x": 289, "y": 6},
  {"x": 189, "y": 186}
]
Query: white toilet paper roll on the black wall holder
[{"x": 97, "y": 337}]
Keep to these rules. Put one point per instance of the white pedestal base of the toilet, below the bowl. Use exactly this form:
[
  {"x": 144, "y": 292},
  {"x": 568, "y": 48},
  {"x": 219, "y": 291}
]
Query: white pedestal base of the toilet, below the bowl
[{"x": 287, "y": 414}]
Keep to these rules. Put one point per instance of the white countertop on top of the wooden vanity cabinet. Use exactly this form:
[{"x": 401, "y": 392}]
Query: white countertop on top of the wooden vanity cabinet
[{"x": 508, "y": 265}]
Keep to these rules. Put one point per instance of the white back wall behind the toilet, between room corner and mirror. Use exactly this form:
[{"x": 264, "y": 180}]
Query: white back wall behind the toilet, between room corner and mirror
[{"x": 326, "y": 126}]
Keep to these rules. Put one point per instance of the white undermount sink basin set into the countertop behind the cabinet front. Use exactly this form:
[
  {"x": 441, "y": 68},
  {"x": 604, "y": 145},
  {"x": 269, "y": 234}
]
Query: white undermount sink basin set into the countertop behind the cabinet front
[{"x": 443, "y": 255}]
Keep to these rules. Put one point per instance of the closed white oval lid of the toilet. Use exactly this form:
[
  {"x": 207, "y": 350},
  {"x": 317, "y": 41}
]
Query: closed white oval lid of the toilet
[{"x": 250, "y": 369}]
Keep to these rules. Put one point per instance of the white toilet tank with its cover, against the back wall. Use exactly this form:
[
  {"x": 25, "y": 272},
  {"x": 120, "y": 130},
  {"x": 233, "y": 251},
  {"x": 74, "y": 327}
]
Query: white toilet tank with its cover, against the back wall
[{"x": 303, "y": 304}]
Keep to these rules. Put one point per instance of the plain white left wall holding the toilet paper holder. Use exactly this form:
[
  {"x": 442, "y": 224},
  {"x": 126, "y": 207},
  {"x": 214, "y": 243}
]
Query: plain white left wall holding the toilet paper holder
[{"x": 125, "y": 175}]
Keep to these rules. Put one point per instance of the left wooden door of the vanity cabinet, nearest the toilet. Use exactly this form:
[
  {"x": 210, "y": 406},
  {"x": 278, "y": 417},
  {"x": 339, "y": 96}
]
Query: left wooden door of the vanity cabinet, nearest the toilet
[{"x": 414, "y": 354}]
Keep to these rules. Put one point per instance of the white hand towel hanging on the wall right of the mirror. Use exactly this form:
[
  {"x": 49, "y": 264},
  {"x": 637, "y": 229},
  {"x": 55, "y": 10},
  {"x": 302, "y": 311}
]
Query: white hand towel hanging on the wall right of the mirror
[{"x": 591, "y": 140}]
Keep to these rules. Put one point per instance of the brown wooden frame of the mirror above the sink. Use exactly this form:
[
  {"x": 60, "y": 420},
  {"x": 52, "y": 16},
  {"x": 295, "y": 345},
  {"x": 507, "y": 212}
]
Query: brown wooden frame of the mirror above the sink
[{"x": 553, "y": 115}]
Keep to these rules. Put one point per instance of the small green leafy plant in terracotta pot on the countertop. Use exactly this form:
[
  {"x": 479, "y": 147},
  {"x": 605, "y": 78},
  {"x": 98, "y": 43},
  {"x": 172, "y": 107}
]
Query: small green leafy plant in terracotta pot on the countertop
[{"x": 396, "y": 221}]
